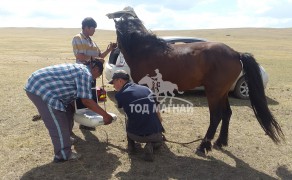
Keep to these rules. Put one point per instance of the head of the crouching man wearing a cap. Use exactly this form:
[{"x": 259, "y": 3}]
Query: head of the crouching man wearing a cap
[{"x": 119, "y": 79}]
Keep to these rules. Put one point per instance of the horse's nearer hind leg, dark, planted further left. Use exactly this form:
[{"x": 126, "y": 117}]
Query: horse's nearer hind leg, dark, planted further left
[{"x": 215, "y": 118}]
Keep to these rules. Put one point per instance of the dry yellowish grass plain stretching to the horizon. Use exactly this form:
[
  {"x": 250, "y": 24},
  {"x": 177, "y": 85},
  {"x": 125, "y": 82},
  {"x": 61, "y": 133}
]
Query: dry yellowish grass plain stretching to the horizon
[{"x": 26, "y": 150}]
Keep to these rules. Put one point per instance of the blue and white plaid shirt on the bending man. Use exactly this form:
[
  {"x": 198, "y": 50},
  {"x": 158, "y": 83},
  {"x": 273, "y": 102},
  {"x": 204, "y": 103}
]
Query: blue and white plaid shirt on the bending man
[{"x": 59, "y": 85}]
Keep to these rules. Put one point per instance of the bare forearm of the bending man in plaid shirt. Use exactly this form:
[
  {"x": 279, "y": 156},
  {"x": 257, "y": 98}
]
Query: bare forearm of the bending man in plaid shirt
[{"x": 91, "y": 104}]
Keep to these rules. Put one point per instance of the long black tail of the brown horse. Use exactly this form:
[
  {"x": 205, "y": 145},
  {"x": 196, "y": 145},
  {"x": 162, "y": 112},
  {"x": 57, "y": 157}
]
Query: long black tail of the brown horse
[{"x": 258, "y": 98}]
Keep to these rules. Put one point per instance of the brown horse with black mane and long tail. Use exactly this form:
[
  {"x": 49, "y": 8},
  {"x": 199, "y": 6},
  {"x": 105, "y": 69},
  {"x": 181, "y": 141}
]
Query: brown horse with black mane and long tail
[{"x": 212, "y": 65}]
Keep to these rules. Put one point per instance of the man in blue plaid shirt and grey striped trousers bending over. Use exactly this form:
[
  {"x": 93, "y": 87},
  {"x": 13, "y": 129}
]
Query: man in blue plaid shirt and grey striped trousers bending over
[{"x": 53, "y": 89}]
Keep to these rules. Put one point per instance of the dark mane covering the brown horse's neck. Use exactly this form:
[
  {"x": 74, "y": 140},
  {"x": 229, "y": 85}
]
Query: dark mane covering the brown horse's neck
[{"x": 131, "y": 33}]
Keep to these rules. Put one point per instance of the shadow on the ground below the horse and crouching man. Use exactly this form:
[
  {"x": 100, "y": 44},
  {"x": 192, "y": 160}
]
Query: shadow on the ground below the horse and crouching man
[{"x": 167, "y": 165}]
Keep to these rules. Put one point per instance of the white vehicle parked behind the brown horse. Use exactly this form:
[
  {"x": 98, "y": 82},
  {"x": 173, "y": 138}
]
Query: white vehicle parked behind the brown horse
[{"x": 239, "y": 88}]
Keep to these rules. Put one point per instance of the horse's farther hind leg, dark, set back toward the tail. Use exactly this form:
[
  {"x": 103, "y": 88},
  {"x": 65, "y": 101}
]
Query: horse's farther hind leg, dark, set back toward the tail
[{"x": 226, "y": 114}]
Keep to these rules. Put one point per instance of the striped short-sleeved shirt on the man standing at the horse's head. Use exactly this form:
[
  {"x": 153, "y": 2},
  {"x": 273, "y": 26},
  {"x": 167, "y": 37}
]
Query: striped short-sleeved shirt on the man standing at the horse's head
[{"x": 83, "y": 45}]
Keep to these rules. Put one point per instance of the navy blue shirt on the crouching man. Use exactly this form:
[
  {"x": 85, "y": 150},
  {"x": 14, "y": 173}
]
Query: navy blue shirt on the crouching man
[{"x": 140, "y": 109}]
